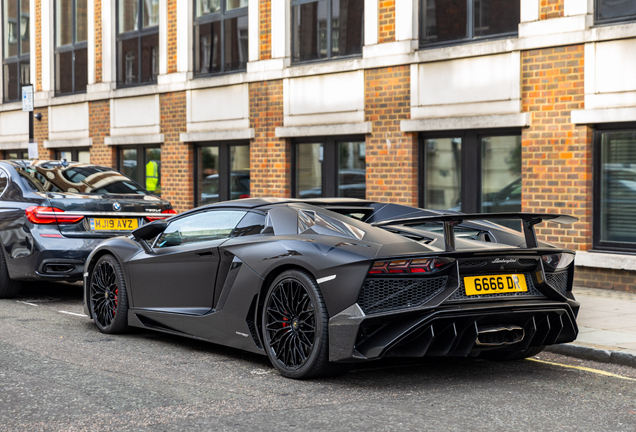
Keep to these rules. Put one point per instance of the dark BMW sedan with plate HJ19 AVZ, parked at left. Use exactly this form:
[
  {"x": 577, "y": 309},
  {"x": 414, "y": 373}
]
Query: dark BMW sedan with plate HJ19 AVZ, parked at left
[{"x": 54, "y": 213}]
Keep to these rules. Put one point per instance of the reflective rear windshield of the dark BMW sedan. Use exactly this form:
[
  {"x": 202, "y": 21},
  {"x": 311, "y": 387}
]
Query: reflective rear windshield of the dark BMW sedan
[{"x": 78, "y": 178}]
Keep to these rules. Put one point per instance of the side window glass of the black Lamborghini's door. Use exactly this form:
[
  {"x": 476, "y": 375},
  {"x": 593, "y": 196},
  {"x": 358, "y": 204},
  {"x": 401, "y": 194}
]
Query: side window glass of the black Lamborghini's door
[{"x": 205, "y": 226}]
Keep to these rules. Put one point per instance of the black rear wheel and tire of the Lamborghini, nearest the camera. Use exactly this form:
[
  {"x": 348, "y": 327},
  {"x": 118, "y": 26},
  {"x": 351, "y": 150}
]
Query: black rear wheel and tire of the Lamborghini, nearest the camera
[{"x": 295, "y": 327}]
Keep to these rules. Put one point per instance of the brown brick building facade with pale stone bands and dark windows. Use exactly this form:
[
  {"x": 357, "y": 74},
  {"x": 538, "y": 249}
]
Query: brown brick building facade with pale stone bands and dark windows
[{"x": 471, "y": 105}]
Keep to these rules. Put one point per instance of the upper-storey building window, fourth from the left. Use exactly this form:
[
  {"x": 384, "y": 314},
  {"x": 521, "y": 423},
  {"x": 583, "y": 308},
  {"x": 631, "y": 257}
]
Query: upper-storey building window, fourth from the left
[{"x": 220, "y": 35}]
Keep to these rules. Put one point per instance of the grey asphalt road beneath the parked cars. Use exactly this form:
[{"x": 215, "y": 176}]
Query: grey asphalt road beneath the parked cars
[{"x": 57, "y": 372}]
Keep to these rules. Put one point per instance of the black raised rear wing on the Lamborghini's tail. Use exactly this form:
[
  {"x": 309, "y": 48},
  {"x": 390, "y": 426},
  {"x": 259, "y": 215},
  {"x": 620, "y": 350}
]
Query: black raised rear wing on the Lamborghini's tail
[{"x": 529, "y": 220}]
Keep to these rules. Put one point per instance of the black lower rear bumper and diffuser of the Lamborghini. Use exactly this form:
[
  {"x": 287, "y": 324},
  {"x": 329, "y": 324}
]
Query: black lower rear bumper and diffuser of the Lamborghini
[{"x": 447, "y": 330}]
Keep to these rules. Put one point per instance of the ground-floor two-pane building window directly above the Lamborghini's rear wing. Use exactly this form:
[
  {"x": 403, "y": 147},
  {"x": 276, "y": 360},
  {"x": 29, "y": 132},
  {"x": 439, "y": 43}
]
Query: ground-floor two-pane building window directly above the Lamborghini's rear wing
[{"x": 472, "y": 171}]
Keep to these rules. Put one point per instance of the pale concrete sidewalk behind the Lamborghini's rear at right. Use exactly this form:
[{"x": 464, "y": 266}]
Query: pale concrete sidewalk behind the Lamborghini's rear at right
[{"x": 607, "y": 325}]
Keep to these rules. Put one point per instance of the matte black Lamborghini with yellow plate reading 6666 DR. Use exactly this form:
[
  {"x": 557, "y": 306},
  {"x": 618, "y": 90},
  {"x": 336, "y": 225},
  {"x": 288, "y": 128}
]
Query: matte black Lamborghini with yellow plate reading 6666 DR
[{"x": 318, "y": 284}]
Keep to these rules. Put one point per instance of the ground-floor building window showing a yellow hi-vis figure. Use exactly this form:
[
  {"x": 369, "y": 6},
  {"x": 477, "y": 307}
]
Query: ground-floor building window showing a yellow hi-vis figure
[{"x": 142, "y": 163}]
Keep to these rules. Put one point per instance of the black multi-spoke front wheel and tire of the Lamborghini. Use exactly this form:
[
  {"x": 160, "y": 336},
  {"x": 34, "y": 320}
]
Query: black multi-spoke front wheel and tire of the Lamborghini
[{"x": 108, "y": 300}]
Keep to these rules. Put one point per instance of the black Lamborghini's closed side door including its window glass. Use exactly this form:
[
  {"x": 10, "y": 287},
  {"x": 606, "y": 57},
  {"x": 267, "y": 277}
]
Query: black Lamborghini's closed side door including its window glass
[{"x": 179, "y": 275}]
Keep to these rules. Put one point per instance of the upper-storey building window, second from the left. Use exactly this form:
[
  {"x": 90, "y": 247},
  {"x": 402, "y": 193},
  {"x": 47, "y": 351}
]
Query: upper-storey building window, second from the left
[{"x": 71, "y": 47}]
